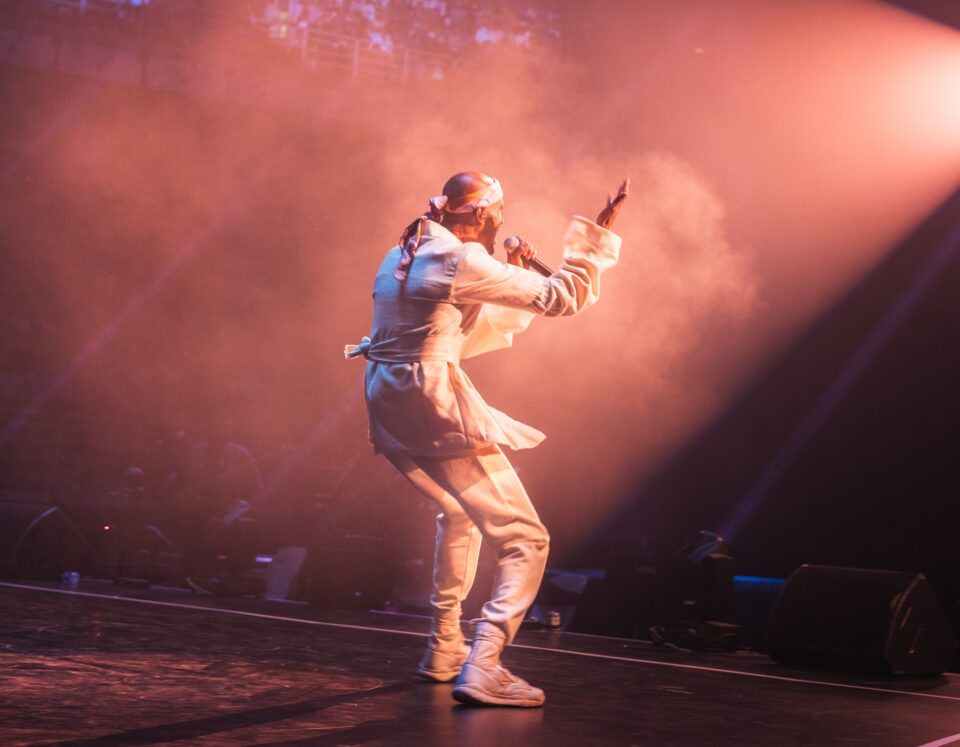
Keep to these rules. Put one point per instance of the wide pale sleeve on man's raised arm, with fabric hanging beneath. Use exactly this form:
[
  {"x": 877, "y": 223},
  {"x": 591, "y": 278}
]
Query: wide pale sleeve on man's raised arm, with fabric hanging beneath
[{"x": 512, "y": 295}]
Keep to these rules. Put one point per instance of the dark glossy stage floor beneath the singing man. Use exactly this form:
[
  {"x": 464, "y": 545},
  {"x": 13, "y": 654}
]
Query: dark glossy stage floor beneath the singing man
[{"x": 105, "y": 666}]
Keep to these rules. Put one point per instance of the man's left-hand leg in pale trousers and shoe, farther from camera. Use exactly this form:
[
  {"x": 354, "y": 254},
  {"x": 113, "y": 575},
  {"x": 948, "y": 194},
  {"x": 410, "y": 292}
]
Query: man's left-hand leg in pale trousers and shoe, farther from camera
[{"x": 454, "y": 571}]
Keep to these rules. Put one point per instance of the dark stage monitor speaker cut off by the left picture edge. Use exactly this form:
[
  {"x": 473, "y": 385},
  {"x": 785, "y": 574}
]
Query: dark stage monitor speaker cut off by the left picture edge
[{"x": 39, "y": 542}]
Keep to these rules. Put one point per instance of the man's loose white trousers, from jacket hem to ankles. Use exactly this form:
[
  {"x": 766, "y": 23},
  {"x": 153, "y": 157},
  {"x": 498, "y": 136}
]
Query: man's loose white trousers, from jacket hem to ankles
[{"x": 480, "y": 495}]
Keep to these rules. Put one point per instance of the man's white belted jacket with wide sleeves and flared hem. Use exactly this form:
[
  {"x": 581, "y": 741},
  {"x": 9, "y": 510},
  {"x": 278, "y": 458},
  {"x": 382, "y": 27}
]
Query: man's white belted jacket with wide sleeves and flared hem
[{"x": 458, "y": 302}]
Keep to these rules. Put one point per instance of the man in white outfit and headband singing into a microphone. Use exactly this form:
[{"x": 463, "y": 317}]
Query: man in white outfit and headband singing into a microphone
[{"x": 439, "y": 297}]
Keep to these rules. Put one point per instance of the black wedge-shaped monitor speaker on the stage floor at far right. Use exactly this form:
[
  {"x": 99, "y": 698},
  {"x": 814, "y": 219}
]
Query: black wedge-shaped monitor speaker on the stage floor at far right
[{"x": 879, "y": 621}]
